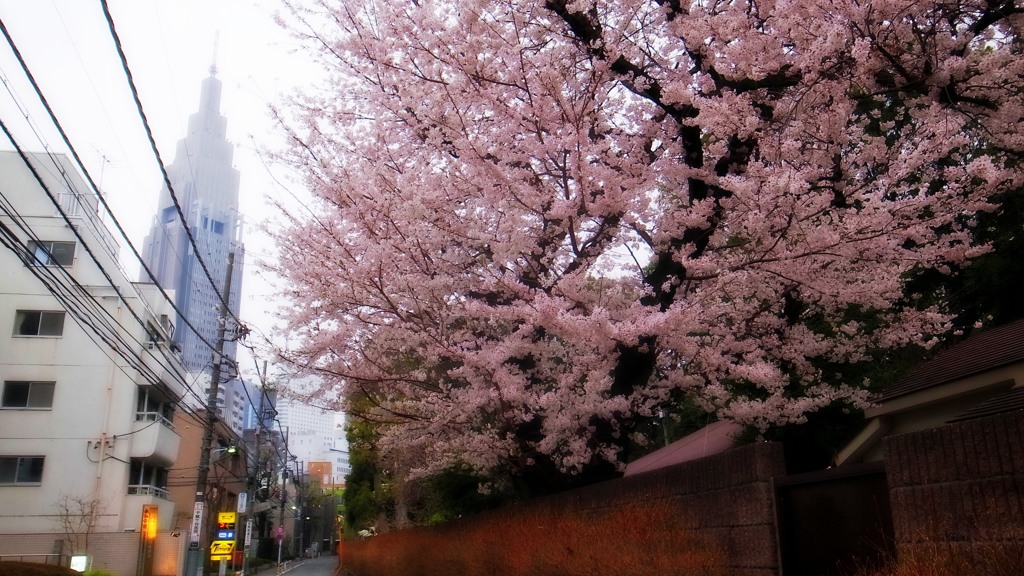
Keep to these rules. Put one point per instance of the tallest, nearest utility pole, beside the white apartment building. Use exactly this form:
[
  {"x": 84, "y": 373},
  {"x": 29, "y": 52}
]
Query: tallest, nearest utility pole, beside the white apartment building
[{"x": 197, "y": 544}]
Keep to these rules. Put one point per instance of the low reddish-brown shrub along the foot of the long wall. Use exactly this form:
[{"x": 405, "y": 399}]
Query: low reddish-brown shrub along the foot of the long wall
[{"x": 639, "y": 541}]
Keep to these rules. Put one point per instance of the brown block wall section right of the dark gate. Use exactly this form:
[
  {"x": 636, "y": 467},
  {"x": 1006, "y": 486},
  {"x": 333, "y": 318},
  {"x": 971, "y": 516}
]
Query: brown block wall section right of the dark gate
[{"x": 960, "y": 486}]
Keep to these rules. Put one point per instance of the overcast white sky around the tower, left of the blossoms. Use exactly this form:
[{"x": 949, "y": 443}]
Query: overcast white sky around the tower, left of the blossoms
[{"x": 169, "y": 46}]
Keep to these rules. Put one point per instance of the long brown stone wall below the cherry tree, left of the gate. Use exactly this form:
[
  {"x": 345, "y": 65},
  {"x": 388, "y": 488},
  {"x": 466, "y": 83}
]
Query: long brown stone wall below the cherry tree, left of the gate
[{"x": 727, "y": 498}]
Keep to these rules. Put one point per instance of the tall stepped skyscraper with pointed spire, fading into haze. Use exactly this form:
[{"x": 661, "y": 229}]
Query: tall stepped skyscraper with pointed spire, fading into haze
[{"x": 206, "y": 187}]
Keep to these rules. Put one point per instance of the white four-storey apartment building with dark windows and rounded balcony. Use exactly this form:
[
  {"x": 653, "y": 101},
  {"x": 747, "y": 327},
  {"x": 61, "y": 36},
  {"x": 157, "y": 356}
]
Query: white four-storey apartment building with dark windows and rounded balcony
[{"x": 90, "y": 382}]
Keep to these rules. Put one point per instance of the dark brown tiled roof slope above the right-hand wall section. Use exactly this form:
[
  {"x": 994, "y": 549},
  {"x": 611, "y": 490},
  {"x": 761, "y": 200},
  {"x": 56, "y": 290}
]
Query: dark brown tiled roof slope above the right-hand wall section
[{"x": 988, "y": 350}]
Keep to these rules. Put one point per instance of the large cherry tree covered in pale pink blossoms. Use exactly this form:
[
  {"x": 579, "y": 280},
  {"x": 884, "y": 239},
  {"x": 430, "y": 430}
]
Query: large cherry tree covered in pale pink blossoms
[{"x": 537, "y": 222}]
